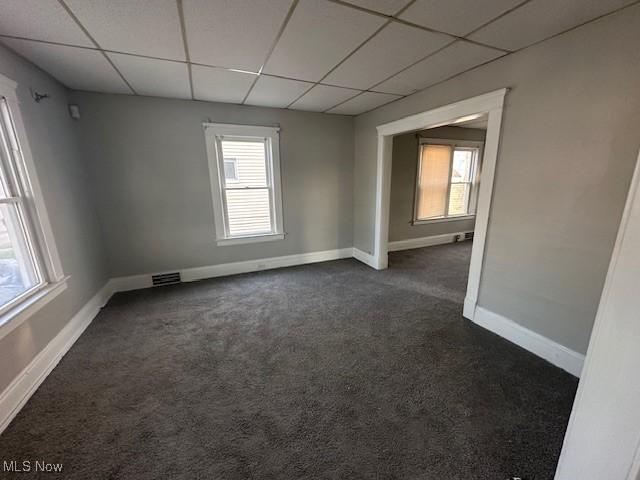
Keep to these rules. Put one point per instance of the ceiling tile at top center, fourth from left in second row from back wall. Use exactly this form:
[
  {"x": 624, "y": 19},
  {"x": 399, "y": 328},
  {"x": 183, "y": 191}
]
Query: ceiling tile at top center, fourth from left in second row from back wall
[{"x": 318, "y": 36}]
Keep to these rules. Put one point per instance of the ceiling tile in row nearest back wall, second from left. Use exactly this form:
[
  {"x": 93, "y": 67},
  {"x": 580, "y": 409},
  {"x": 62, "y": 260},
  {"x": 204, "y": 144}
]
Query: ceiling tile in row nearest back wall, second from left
[{"x": 156, "y": 78}]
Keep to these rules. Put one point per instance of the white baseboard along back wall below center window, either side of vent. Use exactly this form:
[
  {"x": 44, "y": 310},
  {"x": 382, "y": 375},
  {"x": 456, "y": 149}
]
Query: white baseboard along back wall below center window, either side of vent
[{"x": 135, "y": 282}]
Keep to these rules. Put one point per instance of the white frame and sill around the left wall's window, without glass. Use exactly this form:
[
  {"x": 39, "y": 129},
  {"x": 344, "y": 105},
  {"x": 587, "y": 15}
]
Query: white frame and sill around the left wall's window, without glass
[{"x": 37, "y": 224}]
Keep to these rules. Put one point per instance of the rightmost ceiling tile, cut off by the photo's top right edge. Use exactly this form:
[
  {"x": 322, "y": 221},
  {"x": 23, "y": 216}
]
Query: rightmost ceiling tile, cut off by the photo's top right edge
[{"x": 540, "y": 19}]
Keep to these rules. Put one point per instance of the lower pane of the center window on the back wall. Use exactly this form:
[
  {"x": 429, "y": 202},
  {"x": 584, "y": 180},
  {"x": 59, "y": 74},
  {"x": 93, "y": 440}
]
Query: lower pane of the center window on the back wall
[{"x": 248, "y": 211}]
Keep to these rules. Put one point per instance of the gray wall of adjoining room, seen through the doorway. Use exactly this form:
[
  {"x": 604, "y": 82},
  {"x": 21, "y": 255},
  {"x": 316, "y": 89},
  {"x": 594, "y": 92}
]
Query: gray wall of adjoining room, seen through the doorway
[{"x": 403, "y": 183}]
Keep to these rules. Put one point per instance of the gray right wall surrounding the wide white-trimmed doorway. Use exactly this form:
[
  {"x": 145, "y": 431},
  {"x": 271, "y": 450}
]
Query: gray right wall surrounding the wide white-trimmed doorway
[{"x": 568, "y": 147}]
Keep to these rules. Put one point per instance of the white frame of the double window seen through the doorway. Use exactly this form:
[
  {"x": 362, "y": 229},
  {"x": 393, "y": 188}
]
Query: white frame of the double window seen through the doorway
[{"x": 475, "y": 182}]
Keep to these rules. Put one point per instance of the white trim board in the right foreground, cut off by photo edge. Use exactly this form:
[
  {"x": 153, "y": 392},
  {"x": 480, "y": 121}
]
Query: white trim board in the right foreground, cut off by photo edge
[{"x": 603, "y": 435}]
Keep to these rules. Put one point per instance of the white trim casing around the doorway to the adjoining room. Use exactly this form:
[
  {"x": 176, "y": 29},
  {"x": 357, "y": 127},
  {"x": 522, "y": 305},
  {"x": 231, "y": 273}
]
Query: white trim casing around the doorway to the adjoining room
[{"x": 491, "y": 104}]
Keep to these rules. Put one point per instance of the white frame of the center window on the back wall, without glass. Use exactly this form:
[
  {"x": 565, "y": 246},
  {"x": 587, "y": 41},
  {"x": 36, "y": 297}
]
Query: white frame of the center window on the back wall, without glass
[{"x": 271, "y": 135}]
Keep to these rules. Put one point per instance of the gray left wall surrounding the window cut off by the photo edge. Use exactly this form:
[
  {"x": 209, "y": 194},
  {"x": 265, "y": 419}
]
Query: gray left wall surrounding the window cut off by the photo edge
[{"x": 53, "y": 139}]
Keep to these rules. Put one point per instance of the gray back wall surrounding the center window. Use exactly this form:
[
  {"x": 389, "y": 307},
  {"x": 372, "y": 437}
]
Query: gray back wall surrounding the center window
[{"x": 150, "y": 173}]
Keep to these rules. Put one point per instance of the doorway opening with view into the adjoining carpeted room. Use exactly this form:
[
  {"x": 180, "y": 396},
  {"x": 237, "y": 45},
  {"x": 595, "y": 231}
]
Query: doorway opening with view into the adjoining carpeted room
[{"x": 435, "y": 181}]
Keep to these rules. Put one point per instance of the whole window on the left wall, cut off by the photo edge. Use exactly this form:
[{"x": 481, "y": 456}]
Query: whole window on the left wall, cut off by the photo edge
[{"x": 29, "y": 266}]
